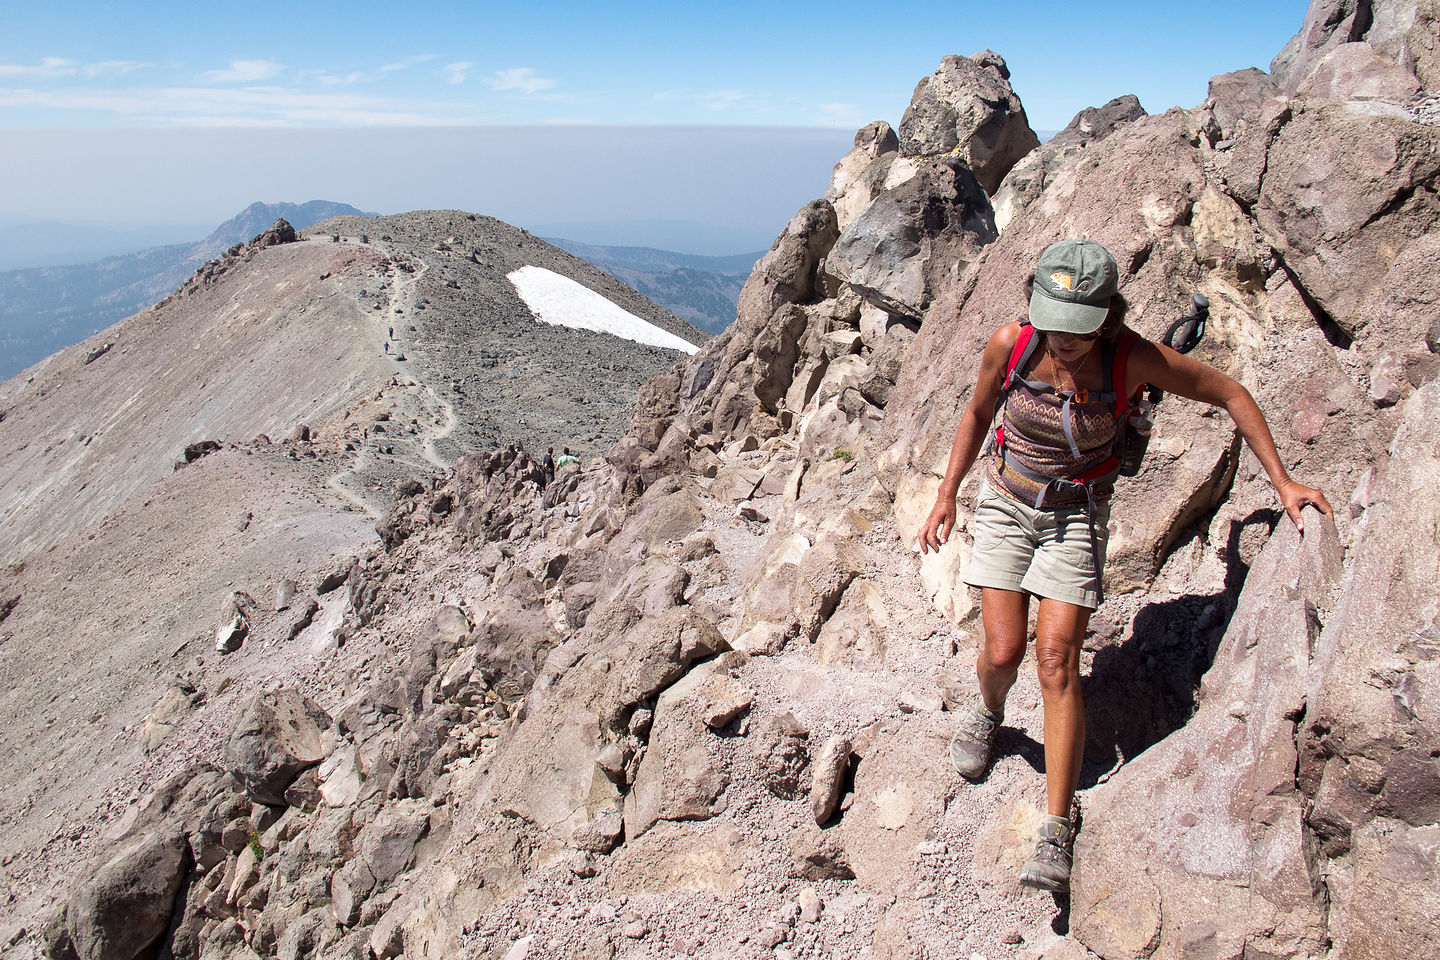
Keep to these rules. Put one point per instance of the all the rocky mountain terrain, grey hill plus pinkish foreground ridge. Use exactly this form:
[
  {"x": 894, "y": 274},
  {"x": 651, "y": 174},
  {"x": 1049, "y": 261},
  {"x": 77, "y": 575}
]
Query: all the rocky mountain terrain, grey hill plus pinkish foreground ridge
[{"x": 351, "y": 681}]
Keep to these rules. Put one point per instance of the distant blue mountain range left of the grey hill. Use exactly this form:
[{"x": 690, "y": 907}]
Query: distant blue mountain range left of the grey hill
[{"x": 47, "y": 309}]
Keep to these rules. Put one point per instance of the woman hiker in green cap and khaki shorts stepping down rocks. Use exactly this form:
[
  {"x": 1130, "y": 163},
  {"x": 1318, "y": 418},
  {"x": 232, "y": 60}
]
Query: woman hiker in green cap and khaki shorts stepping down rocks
[{"x": 1068, "y": 382}]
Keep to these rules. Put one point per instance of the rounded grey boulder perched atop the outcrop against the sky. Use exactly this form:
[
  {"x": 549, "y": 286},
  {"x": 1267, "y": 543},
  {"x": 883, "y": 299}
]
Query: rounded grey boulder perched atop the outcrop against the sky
[{"x": 968, "y": 109}]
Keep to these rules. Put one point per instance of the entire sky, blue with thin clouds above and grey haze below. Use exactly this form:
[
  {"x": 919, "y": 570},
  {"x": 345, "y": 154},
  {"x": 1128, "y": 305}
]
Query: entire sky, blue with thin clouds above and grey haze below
[{"x": 168, "y": 113}]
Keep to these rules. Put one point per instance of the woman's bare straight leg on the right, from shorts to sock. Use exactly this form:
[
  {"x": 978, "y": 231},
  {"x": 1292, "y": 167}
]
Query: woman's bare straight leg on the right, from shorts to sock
[{"x": 1059, "y": 635}]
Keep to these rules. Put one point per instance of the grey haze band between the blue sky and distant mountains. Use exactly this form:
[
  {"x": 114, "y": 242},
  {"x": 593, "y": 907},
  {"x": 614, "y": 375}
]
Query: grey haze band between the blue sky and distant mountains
[{"x": 741, "y": 182}]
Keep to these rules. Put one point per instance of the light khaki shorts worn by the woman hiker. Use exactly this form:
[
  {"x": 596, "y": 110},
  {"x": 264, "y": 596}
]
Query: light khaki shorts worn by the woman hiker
[{"x": 1040, "y": 552}]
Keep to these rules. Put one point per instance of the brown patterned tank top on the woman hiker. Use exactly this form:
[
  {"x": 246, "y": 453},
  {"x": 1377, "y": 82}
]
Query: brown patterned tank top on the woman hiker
[{"x": 1036, "y": 438}]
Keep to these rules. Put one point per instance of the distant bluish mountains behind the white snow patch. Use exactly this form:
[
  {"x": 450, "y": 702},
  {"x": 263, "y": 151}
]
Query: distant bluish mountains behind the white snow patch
[{"x": 702, "y": 290}]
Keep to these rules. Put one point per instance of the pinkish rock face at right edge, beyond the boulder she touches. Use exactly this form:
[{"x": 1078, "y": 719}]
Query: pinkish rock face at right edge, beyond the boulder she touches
[{"x": 1370, "y": 739}]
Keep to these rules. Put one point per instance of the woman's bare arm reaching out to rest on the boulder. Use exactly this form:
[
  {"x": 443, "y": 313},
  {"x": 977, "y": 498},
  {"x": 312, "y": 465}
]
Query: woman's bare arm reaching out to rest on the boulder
[{"x": 1176, "y": 373}]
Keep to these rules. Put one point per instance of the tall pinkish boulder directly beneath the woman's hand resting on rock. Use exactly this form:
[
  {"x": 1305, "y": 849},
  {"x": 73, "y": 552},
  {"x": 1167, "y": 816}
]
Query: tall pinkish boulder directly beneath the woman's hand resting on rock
[{"x": 1215, "y": 811}]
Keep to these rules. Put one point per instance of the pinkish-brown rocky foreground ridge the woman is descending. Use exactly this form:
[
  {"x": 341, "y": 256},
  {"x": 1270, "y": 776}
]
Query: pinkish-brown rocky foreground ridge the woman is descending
[{"x": 693, "y": 700}]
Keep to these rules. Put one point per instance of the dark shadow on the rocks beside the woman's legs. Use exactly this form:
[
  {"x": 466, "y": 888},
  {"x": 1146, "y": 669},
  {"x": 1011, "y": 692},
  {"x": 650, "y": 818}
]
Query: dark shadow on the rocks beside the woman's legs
[{"x": 1141, "y": 692}]
